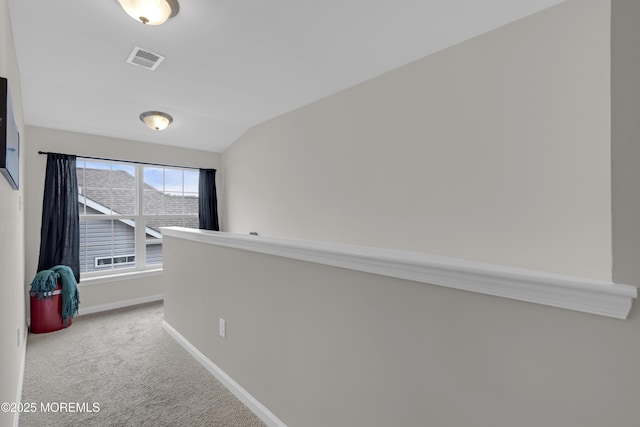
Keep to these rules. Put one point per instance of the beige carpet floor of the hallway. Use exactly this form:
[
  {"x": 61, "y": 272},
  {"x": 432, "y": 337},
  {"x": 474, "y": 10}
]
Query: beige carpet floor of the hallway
[{"x": 124, "y": 362}]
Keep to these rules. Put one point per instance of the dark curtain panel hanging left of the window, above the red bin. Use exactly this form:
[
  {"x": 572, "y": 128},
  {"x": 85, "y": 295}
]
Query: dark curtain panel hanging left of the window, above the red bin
[{"x": 60, "y": 230}]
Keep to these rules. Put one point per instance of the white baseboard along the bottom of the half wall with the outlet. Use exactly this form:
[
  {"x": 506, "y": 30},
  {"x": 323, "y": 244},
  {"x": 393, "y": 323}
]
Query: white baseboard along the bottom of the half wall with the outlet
[{"x": 268, "y": 417}]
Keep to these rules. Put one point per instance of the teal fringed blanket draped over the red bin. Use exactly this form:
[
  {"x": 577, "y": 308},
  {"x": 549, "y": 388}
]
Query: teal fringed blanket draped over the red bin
[{"x": 46, "y": 281}]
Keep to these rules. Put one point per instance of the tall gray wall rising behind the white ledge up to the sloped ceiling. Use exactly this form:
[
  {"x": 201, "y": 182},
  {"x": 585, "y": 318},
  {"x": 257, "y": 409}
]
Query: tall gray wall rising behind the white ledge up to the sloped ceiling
[{"x": 496, "y": 150}]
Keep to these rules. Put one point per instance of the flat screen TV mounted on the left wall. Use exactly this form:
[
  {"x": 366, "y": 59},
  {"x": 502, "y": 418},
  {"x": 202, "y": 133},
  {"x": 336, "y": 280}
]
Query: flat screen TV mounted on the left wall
[{"x": 9, "y": 137}]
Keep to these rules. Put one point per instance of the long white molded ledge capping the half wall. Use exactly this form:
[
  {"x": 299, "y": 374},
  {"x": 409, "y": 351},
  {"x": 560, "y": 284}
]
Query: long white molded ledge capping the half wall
[{"x": 573, "y": 293}]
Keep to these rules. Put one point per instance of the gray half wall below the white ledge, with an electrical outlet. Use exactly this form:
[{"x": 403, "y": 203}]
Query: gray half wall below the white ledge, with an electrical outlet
[{"x": 324, "y": 346}]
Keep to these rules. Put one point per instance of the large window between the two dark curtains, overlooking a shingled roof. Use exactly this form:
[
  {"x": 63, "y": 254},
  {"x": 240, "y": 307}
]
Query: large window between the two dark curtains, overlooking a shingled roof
[{"x": 122, "y": 207}]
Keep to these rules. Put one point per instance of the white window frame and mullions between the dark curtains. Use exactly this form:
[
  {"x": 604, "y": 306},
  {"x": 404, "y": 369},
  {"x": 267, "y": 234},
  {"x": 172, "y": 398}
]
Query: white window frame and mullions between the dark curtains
[{"x": 139, "y": 220}]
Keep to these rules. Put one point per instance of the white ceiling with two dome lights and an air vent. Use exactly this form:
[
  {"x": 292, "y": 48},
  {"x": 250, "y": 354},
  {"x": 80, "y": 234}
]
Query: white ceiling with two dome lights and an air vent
[{"x": 230, "y": 64}]
